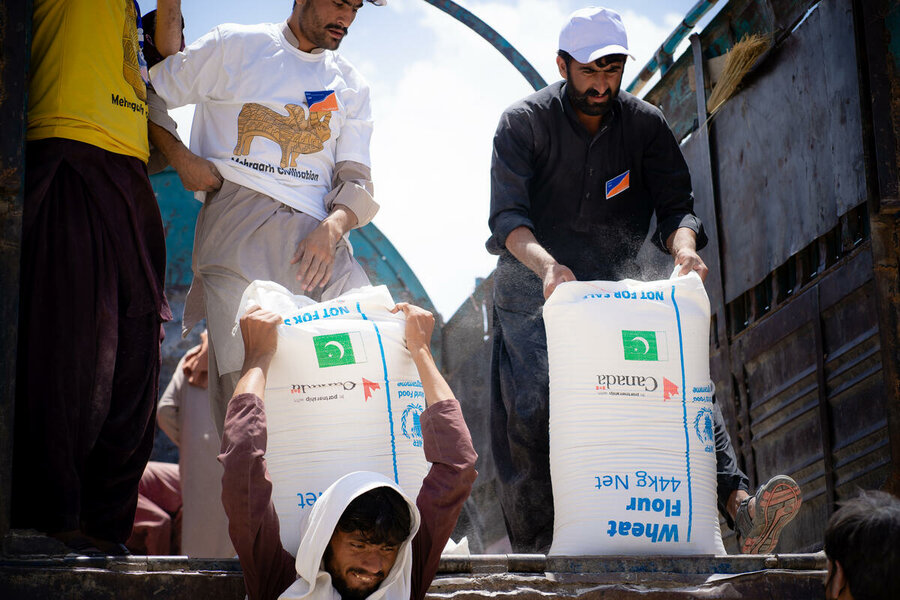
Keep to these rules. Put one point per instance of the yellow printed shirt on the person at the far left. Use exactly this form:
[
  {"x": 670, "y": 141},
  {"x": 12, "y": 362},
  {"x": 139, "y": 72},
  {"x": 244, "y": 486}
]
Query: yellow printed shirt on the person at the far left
[{"x": 86, "y": 81}]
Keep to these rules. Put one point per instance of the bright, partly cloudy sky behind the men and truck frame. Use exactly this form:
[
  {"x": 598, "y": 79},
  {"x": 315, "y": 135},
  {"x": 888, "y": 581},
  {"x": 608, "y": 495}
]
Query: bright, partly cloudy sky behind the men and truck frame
[{"x": 438, "y": 90}]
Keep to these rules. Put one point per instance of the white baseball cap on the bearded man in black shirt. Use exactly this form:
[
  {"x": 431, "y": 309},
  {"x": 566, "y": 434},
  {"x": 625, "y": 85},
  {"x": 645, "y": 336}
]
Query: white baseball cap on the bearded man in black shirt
[{"x": 592, "y": 33}]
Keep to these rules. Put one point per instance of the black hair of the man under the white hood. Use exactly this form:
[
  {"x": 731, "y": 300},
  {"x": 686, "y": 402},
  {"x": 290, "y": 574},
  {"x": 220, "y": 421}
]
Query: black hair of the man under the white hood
[{"x": 381, "y": 515}]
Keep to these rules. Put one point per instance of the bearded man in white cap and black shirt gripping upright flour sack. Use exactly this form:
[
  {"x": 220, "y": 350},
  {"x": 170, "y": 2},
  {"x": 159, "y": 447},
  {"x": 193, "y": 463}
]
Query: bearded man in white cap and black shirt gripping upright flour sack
[{"x": 578, "y": 170}]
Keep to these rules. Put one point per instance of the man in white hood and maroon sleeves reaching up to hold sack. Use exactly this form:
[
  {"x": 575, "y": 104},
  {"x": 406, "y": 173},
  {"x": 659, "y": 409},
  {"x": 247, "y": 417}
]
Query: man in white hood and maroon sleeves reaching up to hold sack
[{"x": 364, "y": 538}]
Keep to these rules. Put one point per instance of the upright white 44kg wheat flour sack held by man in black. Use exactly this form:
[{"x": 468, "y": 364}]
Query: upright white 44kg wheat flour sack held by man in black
[{"x": 632, "y": 455}]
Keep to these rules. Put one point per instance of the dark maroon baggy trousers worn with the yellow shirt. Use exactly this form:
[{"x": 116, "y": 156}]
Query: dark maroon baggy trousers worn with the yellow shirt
[{"x": 91, "y": 306}]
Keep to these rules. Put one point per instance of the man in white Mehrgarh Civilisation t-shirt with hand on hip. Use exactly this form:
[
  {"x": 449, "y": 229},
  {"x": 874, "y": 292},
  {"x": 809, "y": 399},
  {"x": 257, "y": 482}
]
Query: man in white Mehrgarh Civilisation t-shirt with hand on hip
[{"x": 279, "y": 152}]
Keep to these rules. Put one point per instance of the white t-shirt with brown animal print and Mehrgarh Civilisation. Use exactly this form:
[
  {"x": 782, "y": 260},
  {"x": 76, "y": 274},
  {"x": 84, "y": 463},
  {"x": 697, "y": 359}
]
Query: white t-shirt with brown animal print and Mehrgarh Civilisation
[{"x": 253, "y": 90}]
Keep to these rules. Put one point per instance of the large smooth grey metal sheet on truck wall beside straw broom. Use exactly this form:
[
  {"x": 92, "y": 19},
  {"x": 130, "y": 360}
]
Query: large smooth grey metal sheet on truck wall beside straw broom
[{"x": 791, "y": 153}]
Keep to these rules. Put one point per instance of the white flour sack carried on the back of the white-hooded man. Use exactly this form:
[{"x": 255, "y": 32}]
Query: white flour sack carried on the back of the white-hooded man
[{"x": 342, "y": 395}]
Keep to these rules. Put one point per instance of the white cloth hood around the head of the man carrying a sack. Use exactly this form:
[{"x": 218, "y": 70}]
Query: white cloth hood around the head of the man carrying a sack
[{"x": 314, "y": 582}]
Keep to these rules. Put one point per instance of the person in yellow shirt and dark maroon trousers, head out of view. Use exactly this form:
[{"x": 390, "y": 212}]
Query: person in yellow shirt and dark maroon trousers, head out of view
[{"x": 93, "y": 271}]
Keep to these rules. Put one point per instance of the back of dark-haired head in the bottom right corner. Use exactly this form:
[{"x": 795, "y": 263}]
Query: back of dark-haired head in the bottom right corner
[{"x": 864, "y": 537}]
